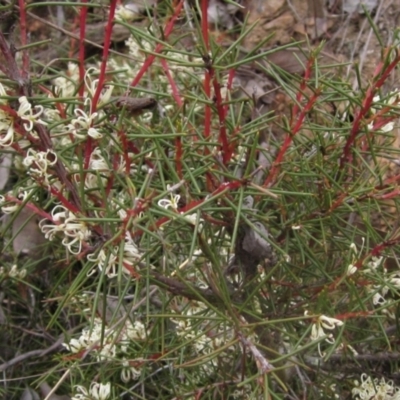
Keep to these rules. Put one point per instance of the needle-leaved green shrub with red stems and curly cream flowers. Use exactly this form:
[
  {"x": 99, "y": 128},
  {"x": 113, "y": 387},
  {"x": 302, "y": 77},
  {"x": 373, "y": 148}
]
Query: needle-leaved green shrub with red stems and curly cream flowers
[{"x": 192, "y": 246}]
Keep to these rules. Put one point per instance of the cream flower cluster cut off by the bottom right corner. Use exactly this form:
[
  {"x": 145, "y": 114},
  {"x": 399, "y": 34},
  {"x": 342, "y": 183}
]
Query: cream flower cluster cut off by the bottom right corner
[{"x": 375, "y": 389}]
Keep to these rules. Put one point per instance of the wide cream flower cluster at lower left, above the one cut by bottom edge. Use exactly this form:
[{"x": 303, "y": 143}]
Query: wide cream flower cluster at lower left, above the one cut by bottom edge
[{"x": 115, "y": 346}]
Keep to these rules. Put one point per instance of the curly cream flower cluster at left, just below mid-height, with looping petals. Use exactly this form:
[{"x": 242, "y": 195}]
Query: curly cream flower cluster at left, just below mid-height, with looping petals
[{"x": 75, "y": 231}]
